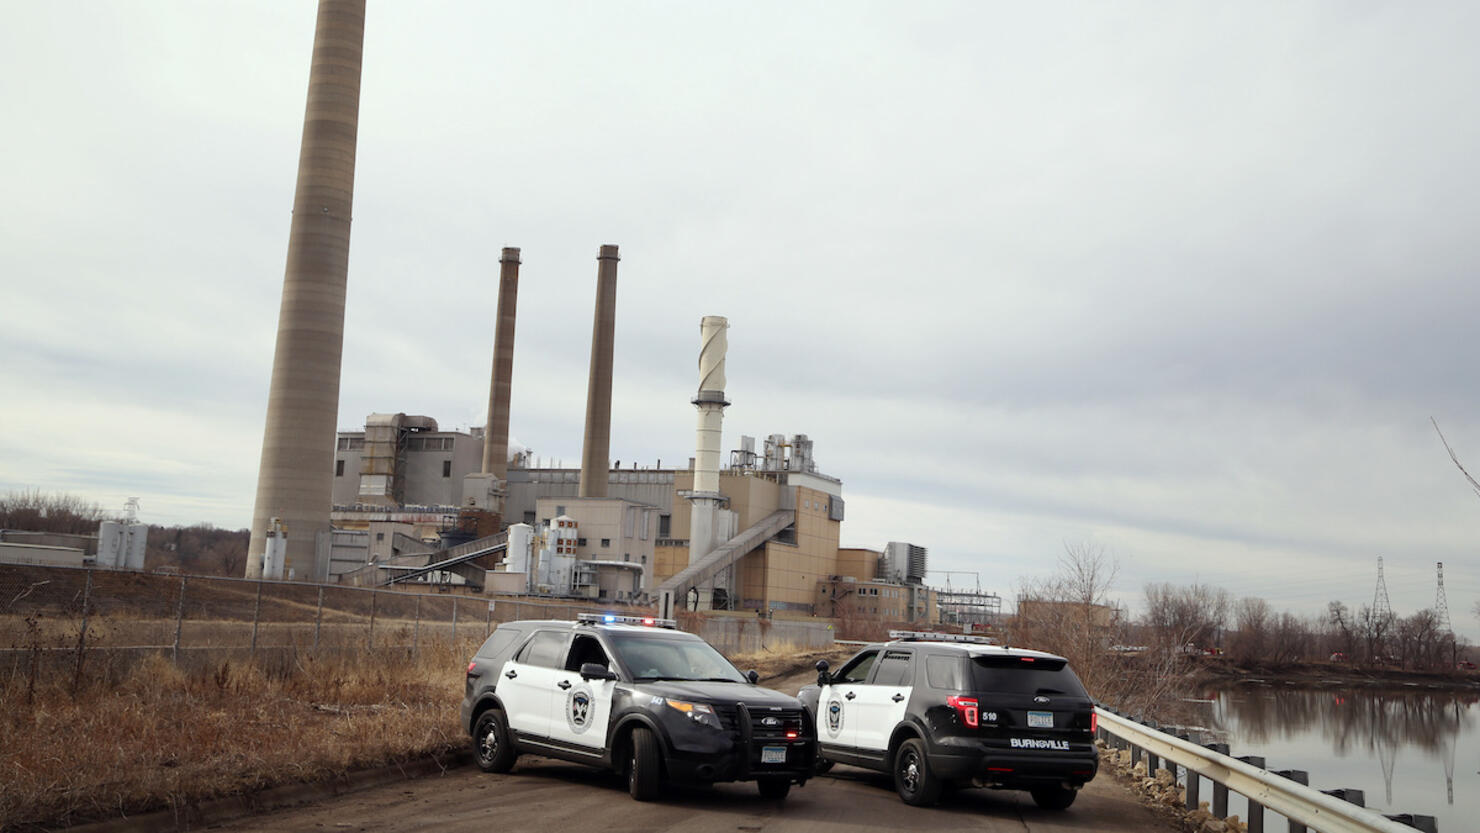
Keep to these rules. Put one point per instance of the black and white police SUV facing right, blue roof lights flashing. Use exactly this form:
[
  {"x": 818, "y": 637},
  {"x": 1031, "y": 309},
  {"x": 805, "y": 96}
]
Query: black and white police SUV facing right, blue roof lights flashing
[{"x": 636, "y": 696}]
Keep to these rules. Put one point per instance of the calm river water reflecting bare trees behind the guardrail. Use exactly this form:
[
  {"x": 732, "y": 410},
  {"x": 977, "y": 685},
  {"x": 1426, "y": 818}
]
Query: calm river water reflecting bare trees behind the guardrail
[{"x": 1410, "y": 751}]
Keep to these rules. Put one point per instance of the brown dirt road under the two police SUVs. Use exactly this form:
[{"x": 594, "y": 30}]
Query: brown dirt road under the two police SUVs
[{"x": 551, "y": 797}]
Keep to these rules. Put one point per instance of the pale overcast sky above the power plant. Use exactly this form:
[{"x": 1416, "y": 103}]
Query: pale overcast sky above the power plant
[{"x": 1185, "y": 282}]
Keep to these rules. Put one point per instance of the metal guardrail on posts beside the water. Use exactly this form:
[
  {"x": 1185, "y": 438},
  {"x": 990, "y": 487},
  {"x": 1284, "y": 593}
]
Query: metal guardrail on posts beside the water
[{"x": 1339, "y": 812}]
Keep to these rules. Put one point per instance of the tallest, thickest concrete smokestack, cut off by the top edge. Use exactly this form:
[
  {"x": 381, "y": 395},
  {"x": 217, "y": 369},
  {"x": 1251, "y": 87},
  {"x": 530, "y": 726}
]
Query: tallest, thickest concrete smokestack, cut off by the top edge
[{"x": 298, "y": 443}]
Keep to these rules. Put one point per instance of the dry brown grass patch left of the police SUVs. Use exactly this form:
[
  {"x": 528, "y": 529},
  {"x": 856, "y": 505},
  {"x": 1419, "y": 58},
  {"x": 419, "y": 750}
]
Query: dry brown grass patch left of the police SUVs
[{"x": 164, "y": 738}]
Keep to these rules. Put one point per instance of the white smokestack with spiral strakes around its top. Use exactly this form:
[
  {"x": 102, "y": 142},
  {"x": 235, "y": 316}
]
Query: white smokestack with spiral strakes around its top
[{"x": 711, "y": 403}]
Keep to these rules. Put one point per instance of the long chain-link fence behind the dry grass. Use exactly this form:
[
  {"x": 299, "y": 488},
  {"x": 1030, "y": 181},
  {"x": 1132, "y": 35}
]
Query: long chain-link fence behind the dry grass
[{"x": 58, "y": 622}]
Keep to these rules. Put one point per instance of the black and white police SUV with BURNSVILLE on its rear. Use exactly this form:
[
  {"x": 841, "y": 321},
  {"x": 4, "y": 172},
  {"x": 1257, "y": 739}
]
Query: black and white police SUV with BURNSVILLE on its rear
[{"x": 938, "y": 709}]
